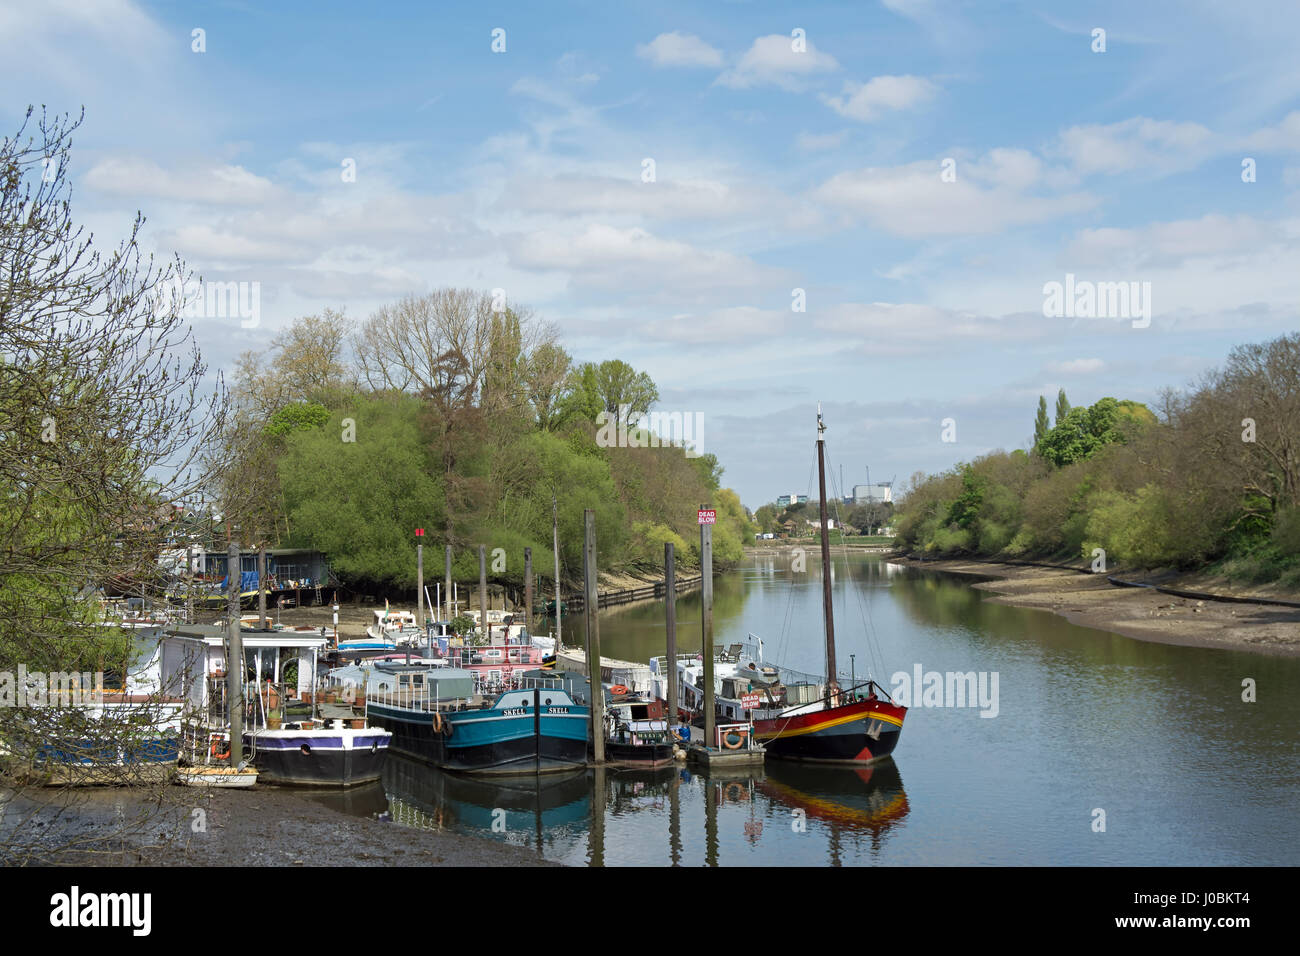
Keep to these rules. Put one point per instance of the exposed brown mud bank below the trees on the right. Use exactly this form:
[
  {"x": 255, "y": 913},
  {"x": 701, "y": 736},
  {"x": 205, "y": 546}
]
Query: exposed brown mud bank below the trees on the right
[{"x": 1141, "y": 613}]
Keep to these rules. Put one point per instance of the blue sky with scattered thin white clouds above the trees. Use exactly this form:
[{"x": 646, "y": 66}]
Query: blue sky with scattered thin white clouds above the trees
[{"x": 762, "y": 206}]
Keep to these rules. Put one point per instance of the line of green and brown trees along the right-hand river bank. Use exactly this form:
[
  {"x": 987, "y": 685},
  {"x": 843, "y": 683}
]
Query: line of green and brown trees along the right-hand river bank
[{"x": 1207, "y": 479}]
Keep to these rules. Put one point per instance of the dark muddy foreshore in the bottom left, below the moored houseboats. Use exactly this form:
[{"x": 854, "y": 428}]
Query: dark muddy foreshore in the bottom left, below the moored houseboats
[{"x": 267, "y": 827}]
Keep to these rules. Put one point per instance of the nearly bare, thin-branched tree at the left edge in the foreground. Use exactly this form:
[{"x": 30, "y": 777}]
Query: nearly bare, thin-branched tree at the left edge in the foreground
[{"x": 103, "y": 409}]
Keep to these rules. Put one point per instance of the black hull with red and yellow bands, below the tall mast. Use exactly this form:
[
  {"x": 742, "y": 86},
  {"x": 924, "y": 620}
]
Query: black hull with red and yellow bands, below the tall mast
[{"x": 859, "y": 733}]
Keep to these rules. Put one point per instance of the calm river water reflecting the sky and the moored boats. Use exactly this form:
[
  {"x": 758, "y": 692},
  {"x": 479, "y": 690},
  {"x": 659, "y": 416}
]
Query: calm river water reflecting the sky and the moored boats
[{"x": 1090, "y": 729}]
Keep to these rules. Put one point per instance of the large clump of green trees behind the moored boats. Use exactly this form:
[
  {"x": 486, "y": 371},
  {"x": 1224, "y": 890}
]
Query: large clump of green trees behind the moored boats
[{"x": 465, "y": 416}]
